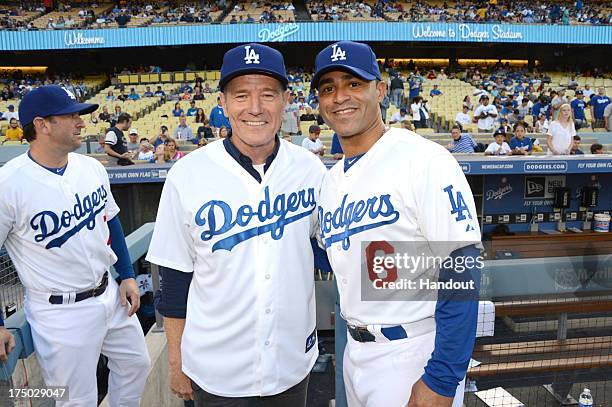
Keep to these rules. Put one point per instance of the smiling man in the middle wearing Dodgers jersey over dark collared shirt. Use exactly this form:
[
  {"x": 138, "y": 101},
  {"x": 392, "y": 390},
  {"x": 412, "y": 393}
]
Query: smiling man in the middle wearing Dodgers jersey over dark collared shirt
[{"x": 238, "y": 289}]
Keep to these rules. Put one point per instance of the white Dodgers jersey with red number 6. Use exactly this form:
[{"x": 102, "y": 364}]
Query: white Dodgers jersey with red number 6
[{"x": 405, "y": 188}]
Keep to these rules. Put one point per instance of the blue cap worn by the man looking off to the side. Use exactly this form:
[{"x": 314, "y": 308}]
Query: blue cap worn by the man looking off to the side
[{"x": 50, "y": 100}]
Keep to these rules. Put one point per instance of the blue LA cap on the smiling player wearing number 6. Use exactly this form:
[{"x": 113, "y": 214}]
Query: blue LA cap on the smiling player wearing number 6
[{"x": 354, "y": 57}]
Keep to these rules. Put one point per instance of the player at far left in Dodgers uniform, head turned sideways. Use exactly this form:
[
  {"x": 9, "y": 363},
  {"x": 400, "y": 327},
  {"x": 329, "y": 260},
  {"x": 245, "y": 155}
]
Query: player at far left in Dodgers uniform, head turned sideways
[{"x": 58, "y": 220}]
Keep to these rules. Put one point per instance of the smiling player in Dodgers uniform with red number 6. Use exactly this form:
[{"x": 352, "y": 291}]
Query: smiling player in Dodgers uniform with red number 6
[{"x": 392, "y": 186}]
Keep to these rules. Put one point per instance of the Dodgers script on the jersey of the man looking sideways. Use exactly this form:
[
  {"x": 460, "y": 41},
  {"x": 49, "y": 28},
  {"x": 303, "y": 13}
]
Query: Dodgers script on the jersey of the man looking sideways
[{"x": 83, "y": 213}]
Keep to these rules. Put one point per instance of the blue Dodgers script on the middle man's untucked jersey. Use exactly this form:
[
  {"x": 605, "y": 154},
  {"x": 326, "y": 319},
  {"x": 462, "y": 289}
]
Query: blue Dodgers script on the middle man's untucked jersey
[{"x": 221, "y": 219}]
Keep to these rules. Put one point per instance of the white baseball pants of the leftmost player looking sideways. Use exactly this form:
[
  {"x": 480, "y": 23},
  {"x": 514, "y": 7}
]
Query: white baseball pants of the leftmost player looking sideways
[{"x": 69, "y": 338}]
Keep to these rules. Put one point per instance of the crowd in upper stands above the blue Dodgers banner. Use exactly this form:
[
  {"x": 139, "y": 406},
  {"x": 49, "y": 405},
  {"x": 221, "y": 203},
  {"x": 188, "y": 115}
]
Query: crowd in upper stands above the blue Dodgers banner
[{"x": 167, "y": 12}]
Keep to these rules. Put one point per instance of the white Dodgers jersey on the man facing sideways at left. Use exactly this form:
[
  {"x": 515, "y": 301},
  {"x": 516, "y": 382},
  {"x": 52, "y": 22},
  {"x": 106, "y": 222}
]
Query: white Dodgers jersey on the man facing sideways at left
[{"x": 55, "y": 226}]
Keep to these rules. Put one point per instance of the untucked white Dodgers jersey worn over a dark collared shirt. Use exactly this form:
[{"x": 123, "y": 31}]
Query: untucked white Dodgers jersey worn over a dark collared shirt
[{"x": 250, "y": 327}]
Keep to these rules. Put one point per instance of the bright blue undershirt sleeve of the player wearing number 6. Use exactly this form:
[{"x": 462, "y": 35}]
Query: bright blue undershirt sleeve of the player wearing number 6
[{"x": 456, "y": 318}]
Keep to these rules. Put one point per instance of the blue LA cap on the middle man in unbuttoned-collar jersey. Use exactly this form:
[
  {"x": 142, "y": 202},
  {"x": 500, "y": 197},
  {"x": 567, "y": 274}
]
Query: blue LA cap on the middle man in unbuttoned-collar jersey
[{"x": 252, "y": 58}]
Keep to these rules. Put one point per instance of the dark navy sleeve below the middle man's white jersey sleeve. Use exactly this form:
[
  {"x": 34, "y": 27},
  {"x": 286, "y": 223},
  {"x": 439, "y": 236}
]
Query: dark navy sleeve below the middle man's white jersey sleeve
[{"x": 171, "y": 301}]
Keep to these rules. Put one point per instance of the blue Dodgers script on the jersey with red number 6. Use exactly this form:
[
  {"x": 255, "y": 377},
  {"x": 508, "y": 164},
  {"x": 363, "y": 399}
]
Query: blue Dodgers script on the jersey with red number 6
[{"x": 379, "y": 209}]
